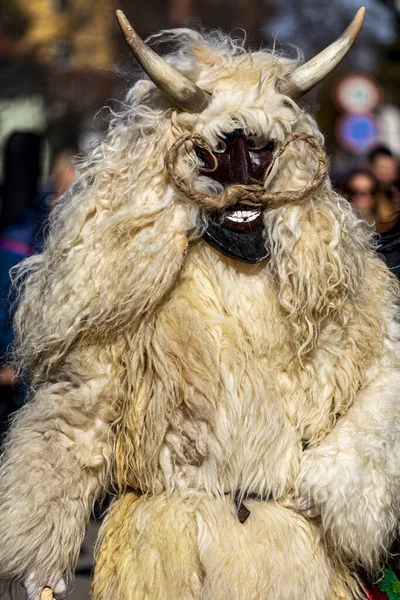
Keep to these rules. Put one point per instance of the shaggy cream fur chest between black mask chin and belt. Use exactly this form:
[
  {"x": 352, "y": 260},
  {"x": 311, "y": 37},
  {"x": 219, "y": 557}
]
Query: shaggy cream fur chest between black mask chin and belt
[{"x": 223, "y": 401}]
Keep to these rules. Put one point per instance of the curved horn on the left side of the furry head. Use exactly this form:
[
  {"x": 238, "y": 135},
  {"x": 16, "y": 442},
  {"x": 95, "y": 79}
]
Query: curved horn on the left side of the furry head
[{"x": 181, "y": 91}]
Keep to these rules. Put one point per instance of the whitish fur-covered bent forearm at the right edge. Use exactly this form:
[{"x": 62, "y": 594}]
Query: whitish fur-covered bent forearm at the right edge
[{"x": 354, "y": 475}]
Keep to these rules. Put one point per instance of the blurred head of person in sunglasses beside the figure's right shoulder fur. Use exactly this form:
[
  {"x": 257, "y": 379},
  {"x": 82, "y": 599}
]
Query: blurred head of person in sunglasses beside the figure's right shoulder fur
[{"x": 361, "y": 188}]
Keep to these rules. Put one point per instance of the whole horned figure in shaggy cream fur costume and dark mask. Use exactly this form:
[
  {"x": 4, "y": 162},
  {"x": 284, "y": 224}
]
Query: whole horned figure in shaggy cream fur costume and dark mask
[{"x": 210, "y": 334}]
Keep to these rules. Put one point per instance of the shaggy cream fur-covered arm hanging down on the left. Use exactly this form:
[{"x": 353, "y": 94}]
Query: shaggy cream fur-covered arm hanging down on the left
[{"x": 54, "y": 466}]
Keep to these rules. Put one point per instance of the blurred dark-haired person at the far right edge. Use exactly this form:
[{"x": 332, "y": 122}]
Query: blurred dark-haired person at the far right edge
[{"x": 384, "y": 167}]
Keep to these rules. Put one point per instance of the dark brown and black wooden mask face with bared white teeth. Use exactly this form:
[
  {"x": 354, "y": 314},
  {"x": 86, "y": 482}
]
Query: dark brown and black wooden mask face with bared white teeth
[{"x": 239, "y": 159}]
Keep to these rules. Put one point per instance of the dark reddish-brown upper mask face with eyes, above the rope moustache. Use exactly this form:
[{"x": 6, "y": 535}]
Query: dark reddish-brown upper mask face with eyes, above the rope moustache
[{"x": 242, "y": 159}]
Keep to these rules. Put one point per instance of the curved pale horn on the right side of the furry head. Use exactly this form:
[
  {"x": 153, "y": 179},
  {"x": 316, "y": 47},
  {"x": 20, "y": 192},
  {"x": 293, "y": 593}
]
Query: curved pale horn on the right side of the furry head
[{"x": 312, "y": 72}]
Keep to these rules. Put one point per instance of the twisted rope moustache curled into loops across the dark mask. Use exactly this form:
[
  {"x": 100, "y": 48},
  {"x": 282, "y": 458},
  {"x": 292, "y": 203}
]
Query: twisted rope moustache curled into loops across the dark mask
[{"x": 254, "y": 195}]
